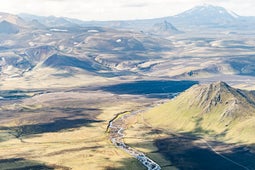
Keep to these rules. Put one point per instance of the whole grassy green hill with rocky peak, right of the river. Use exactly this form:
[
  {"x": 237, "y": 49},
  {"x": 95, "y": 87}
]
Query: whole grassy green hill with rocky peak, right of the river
[{"x": 211, "y": 109}]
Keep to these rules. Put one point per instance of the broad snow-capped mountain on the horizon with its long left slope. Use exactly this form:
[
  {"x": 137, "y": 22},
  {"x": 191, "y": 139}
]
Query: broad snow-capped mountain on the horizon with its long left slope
[{"x": 204, "y": 16}]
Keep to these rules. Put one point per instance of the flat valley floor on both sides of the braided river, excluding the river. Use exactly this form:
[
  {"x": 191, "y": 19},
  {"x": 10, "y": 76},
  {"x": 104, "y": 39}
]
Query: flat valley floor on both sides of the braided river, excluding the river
[{"x": 66, "y": 129}]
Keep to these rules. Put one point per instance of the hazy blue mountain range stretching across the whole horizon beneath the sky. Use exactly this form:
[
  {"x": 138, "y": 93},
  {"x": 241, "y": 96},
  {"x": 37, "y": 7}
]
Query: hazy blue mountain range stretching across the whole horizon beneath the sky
[{"x": 199, "y": 17}]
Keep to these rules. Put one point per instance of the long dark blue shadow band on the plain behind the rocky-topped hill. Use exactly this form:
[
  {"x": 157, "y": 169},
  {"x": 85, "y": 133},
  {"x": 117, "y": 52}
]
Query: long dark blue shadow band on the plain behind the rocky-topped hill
[{"x": 150, "y": 88}]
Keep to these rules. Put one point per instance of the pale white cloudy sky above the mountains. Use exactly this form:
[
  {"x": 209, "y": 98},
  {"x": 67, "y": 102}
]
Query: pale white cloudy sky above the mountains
[{"x": 118, "y": 9}]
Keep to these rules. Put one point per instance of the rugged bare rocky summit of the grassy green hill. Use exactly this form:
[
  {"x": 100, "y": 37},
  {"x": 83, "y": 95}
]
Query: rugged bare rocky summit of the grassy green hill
[{"x": 209, "y": 97}]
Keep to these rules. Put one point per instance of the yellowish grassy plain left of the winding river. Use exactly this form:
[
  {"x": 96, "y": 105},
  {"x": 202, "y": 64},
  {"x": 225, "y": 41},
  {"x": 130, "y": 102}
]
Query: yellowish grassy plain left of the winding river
[{"x": 64, "y": 130}]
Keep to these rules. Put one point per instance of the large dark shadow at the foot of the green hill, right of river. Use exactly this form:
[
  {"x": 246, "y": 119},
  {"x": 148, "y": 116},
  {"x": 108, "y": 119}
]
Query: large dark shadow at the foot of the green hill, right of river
[{"x": 187, "y": 153}]
